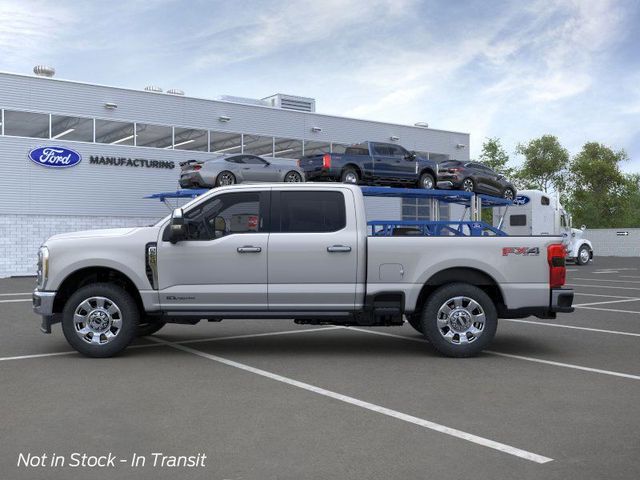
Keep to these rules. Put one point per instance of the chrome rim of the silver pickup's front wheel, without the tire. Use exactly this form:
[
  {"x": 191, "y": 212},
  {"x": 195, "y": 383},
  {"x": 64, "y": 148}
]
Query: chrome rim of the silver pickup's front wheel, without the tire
[{"x": 97, "y": 320}]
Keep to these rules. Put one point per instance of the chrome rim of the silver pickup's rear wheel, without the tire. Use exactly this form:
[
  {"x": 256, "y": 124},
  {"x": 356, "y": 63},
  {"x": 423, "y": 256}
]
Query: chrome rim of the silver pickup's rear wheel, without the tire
[{"x": 461, "y": 320}]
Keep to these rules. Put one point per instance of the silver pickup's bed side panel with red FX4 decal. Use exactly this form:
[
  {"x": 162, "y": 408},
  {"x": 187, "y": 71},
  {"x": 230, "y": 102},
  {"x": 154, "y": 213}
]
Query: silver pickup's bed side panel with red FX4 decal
[{"x": 516, "y": 264}]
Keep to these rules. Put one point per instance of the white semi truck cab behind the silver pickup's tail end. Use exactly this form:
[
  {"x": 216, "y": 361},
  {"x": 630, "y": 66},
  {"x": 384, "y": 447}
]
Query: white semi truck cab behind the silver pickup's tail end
[{"x": 535, "y": 212}]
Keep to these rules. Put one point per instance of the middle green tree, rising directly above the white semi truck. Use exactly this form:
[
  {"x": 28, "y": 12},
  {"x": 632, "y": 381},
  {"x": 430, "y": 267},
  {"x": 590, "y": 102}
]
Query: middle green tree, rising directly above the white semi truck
[{"x": 545, "y": 164}]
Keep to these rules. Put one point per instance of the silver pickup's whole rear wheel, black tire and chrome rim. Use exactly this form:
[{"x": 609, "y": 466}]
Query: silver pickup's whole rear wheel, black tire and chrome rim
[{"x": 459, "y": 320}]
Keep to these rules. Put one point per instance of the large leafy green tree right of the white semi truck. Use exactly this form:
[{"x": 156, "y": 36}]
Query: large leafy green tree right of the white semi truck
[{"x": 600, "y": 194}]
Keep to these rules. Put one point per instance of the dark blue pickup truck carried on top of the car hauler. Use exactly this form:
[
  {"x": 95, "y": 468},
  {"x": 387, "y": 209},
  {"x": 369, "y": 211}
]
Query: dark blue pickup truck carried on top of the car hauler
[{"x": 372, "y": 163}]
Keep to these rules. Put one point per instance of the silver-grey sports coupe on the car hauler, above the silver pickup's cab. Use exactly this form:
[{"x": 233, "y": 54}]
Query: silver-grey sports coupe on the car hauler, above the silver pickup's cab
[{"x": 230, "y": 169}]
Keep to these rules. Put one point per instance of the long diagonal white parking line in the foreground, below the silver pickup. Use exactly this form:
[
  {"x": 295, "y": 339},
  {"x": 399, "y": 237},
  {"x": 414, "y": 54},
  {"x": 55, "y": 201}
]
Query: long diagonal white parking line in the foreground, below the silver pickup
[{"x": 485, "y": 442}]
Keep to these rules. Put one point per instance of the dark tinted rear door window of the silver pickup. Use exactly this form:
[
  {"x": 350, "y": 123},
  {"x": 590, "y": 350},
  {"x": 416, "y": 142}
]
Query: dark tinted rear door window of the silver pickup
[{"x": 312, "y": 212}]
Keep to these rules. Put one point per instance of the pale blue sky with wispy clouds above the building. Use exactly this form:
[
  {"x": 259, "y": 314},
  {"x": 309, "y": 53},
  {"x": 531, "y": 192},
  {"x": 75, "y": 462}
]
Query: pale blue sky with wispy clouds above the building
[{"x": 511, "y": 69}]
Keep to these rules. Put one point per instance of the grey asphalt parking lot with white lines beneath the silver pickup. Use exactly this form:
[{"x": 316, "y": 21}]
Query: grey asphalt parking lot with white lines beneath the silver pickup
[{"x": 274, "y": 400}]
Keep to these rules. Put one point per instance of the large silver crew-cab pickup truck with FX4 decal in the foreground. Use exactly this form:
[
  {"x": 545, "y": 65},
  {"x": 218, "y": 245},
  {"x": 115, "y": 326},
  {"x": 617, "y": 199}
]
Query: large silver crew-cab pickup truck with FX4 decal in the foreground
[{"x": 297, "y": 251}]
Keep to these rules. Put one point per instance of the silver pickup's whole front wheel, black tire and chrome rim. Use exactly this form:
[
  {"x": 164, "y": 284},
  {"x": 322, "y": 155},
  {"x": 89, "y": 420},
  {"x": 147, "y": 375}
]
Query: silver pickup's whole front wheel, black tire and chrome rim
[{"x": 100, "y": 320}]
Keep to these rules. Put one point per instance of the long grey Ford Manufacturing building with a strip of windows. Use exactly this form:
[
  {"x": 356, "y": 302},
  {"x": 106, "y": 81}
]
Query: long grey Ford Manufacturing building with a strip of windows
[{"x": 129, "y": 144}]
